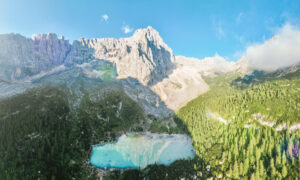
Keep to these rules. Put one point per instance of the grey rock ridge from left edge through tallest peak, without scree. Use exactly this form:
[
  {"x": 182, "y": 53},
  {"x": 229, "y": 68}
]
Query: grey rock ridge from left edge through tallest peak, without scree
[{"x": 143, "y": 56}]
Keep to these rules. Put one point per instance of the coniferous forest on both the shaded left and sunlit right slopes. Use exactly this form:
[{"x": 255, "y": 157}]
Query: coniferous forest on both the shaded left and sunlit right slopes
[{"x": 241, "y": 129}]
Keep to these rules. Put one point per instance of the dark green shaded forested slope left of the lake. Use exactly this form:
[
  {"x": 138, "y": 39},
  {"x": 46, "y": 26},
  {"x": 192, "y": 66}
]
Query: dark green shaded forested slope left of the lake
[{"x": 44, "y": 136}]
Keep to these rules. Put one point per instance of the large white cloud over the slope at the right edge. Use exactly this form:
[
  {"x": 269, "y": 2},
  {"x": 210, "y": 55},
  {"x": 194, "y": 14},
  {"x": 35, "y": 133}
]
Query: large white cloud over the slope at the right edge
[{"x": 281, "y": 51}]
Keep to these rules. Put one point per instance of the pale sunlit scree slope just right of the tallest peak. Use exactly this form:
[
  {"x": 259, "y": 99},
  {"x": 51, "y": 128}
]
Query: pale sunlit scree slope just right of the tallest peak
[{"x": 185, "y": 83}]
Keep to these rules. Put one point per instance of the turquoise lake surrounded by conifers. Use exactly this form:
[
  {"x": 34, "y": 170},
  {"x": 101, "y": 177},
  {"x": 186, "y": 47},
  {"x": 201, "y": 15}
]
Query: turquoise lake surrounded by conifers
[{"x": 140, "y": 150}]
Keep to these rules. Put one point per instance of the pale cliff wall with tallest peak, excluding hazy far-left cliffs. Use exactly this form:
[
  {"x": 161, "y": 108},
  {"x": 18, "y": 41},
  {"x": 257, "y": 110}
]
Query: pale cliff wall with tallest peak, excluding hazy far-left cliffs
[{"x": 144, "y": 56}]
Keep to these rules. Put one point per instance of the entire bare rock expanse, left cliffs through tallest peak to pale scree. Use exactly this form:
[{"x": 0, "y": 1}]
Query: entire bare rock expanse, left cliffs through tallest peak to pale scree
[{"x": 144, "y": 65}]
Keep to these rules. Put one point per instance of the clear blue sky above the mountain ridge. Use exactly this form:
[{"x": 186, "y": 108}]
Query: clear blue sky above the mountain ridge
[{"x": 191, "y": 28}]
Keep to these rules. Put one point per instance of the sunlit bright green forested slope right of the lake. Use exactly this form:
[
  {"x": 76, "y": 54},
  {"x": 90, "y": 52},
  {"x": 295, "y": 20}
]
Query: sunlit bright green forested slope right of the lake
[{"x": 243, "y": 148}]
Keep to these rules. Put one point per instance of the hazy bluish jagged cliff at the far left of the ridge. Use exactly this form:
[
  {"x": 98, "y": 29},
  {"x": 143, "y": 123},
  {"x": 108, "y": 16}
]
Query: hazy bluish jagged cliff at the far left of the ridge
[{"x": 21, "y": 57}]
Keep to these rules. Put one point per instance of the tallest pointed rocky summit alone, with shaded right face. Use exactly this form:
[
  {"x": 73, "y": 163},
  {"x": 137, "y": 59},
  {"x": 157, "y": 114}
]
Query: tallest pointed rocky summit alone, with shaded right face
[{"x": 155, "y": 58}]
